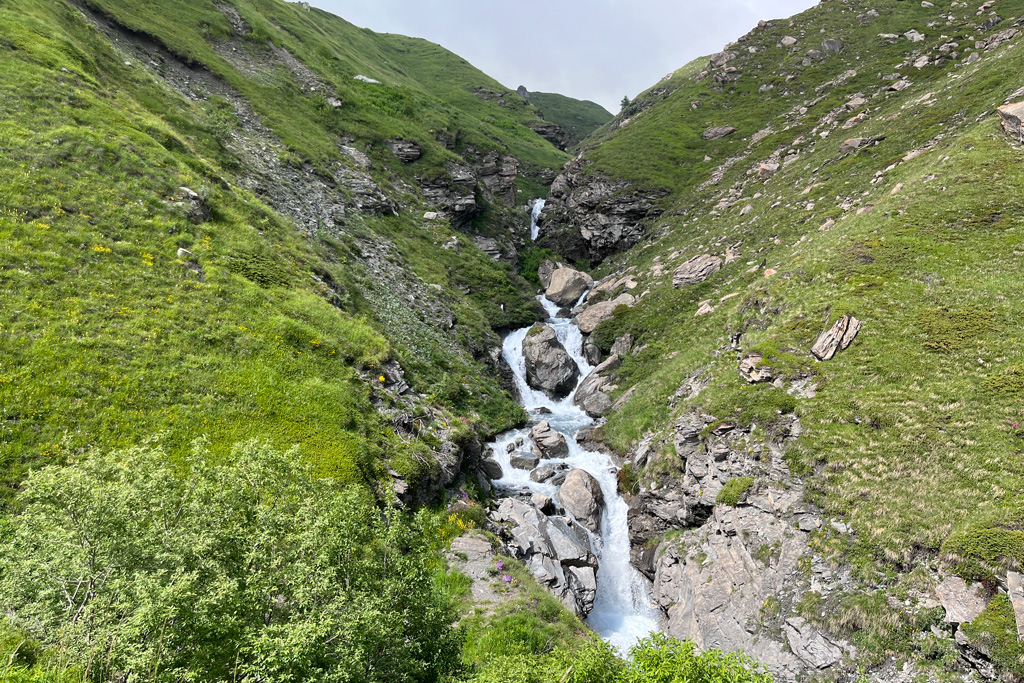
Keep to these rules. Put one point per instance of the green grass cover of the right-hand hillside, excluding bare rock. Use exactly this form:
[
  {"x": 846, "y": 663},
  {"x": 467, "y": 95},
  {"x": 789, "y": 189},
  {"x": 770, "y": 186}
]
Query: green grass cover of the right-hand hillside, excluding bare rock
[{"x": 916, "y": 230}]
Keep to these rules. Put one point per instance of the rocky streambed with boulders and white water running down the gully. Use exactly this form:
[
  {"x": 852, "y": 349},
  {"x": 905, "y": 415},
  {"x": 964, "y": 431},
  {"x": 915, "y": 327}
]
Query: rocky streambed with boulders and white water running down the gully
[{"x": 562, "y": 513}]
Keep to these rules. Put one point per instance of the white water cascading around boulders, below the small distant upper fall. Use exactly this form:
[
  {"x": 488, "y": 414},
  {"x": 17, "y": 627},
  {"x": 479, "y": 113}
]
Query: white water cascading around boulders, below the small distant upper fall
[{"x": 623, "y": 613}]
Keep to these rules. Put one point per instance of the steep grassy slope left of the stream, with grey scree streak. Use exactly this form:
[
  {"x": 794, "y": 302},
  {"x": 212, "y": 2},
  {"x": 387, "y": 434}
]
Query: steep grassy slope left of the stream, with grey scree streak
[{"x": 205, "y": 234}]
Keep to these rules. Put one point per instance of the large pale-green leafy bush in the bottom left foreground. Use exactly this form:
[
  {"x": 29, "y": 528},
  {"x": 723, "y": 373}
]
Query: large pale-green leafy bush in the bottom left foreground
[{"x": 247, "y": 570}]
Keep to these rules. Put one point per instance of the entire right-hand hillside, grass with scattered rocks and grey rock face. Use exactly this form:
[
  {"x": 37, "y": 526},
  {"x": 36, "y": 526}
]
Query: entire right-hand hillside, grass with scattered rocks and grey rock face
[{"x": 818, "y": 226}]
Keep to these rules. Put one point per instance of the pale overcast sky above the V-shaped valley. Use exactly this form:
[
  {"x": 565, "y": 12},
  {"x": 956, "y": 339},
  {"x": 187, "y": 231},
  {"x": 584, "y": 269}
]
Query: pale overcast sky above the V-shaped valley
[{"x": 589, "y": 50}]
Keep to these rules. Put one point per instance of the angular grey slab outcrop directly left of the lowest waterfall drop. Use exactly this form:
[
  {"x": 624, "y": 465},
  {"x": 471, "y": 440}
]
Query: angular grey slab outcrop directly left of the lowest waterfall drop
[{"x": 556, "y": 551}]
